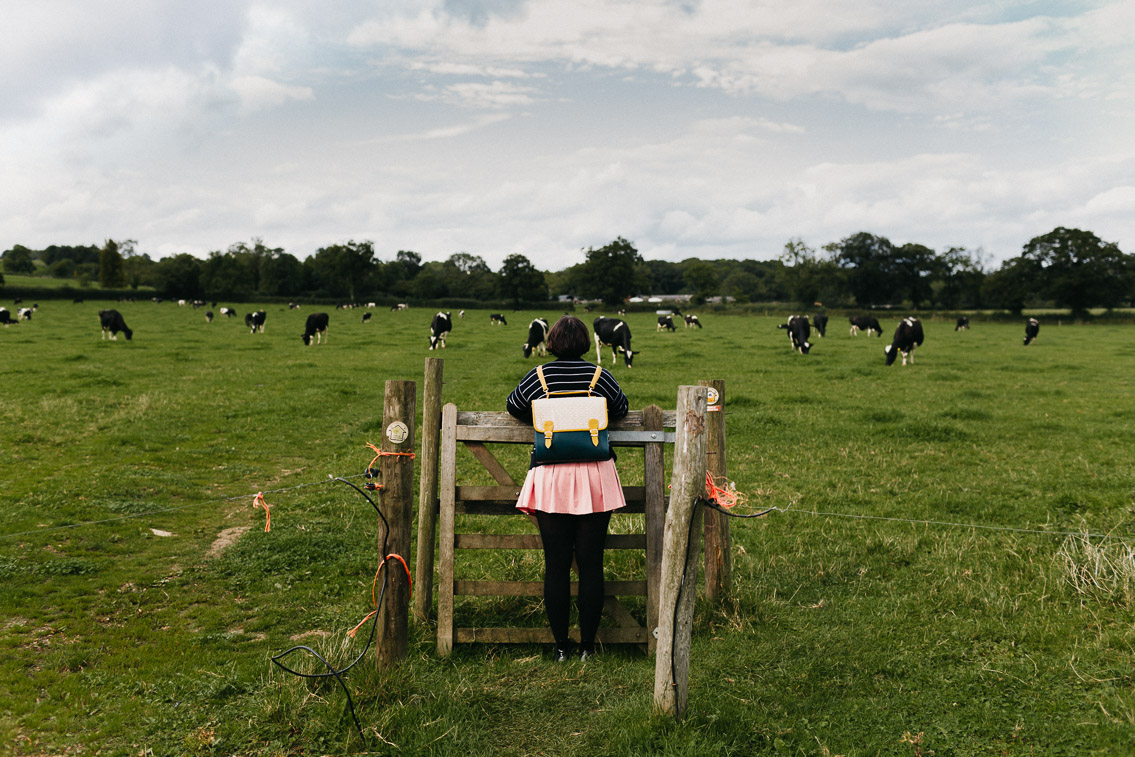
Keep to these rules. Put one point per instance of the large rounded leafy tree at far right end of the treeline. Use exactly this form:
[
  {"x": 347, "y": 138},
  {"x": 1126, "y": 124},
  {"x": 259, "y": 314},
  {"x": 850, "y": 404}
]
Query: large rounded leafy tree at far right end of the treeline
[{"x": 1079, "y": 271}]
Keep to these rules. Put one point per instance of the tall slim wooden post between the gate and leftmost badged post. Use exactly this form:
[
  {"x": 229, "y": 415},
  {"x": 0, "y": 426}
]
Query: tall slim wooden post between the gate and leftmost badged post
[{"x": 427, "y": 494}]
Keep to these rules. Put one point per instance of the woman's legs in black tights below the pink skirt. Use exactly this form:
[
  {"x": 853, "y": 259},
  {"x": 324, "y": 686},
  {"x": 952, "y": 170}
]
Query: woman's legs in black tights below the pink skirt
[{"x": 583, "y": 537}]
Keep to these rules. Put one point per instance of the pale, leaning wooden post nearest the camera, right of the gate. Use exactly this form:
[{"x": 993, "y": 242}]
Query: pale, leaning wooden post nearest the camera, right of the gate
[{"x": 680, "y": 559}]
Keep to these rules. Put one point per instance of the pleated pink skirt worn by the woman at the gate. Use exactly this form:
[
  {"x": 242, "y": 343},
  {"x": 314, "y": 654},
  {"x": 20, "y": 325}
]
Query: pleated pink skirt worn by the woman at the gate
[{"x": 573, "y": 490}]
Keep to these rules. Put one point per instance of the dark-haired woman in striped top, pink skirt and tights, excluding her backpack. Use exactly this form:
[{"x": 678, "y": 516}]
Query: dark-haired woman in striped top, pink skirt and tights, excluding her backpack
[{"x": 571, "y": 502}]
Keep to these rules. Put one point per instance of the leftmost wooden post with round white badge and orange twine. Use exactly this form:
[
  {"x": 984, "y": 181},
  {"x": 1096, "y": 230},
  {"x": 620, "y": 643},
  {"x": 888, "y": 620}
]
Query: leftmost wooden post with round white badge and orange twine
[{"x": 397, "y": 502}]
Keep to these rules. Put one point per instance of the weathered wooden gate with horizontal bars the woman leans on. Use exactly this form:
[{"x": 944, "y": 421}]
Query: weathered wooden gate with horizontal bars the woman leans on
[{"x": 641, "y": 430}]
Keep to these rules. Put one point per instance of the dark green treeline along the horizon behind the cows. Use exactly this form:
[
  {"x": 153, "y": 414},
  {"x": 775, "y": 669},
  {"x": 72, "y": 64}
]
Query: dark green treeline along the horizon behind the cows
[{"x": 1066, "y": 268}]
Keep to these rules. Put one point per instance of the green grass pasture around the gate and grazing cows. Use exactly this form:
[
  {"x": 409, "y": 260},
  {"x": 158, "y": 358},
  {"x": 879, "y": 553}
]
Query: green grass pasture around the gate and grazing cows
[{"x": 846, "y": 634}]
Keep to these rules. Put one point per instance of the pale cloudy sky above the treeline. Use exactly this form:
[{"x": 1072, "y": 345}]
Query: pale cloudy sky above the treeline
[{"x": 712, "y": 129}]
